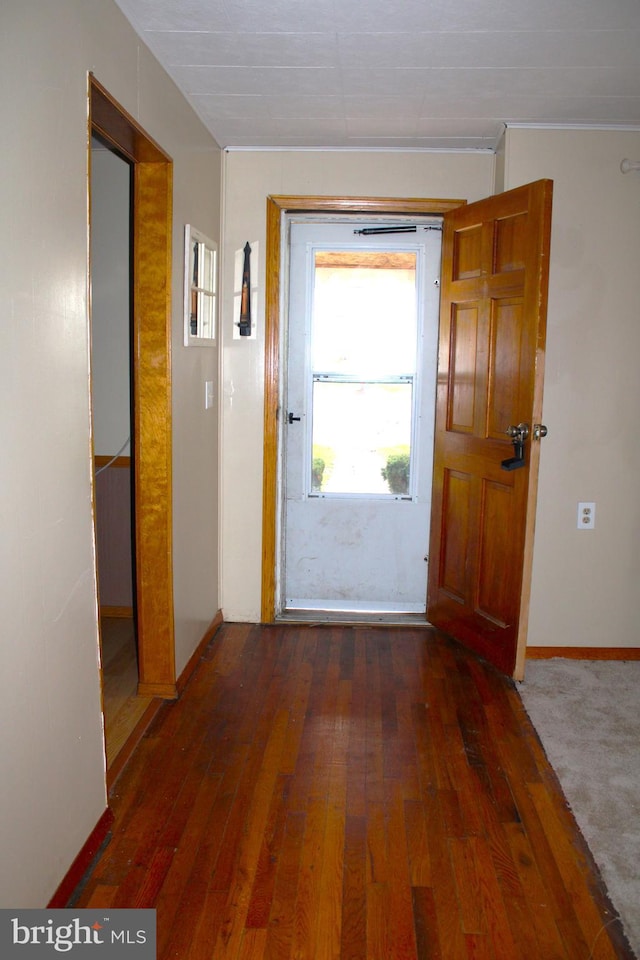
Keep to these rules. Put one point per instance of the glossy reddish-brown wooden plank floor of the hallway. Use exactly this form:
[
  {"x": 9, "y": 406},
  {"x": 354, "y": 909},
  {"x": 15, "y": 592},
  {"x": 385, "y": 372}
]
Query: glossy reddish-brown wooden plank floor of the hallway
[{"x": 350, "y": 793}]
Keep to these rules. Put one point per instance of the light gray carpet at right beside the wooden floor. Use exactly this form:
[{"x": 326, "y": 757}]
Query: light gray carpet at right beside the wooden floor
[{"x": 587, "y": 715}]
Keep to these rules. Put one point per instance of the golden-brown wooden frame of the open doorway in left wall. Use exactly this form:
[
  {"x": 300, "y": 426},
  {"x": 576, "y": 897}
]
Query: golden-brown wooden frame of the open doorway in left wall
[{"x": 152, "y": 222}]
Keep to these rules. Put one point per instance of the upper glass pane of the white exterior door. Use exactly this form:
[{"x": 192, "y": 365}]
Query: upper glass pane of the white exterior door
[{"x": 364, "y": 312}]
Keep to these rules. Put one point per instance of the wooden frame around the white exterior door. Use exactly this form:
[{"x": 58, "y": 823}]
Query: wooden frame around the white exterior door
[{"x": 277, "y": 207}]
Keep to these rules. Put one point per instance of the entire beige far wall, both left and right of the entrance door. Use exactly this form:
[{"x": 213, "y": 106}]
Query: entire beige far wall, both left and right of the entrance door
[{"x": 584, "y": 584}]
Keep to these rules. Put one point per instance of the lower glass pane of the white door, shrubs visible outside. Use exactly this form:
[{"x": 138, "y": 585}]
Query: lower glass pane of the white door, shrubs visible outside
[{"x": 361, "y": 437}]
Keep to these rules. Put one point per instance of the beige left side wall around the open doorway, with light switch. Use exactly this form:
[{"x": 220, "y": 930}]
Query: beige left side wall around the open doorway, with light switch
[{"x": 52, "y": 759}]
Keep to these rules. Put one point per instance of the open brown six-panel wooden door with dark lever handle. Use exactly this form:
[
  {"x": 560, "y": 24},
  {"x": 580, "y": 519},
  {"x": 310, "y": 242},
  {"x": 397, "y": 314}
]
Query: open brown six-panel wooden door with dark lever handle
[{"x": 495, "y": 261}]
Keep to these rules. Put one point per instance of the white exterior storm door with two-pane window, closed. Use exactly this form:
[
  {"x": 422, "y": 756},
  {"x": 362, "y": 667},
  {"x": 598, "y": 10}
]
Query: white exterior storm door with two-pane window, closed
[{"x": 358, "y": 415}]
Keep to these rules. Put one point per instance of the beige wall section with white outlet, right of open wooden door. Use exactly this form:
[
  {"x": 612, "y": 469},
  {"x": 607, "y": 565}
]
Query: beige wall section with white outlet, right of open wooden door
[{"x": 585, "y": 583}]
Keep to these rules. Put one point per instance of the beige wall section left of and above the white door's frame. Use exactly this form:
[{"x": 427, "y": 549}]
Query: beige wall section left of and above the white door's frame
[{"x": 249, "y": 177}]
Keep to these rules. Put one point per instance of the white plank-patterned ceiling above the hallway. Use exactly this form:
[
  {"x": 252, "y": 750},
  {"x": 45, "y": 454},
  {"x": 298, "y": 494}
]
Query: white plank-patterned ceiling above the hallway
[{"x": 444, "y": 74}]
